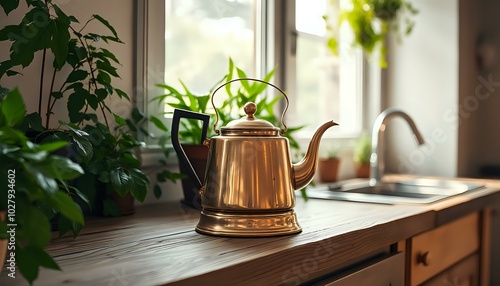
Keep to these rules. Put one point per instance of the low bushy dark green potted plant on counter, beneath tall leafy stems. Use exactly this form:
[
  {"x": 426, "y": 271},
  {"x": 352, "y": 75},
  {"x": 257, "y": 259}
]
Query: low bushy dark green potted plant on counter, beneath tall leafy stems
[{"x": 113, "y": 178}]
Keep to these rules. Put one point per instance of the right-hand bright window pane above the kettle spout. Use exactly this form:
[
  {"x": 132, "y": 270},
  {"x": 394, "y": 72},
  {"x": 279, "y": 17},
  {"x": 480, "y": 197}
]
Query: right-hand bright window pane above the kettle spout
[{"x": 326, "y": 86}]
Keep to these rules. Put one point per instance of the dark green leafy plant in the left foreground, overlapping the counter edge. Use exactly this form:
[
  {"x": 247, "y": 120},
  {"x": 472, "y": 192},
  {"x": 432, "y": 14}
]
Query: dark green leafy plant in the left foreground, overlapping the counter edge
[{"x": 35, "y": 189}]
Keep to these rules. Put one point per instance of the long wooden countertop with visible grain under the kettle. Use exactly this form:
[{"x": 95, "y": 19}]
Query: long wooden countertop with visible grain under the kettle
[{"x": 158, "y": 245}]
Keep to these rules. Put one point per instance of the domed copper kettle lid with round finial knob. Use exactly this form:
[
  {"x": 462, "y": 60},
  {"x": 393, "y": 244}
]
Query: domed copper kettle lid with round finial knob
[{"x": 249, "y": 125}]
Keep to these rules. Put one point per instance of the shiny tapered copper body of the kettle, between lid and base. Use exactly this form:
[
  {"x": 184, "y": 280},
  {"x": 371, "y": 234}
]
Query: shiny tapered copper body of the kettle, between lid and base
[{"x": 248, "y": 174}]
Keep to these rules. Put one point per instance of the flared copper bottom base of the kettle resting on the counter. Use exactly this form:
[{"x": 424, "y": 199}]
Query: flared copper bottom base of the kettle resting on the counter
[{"x": 248, "y": 224}]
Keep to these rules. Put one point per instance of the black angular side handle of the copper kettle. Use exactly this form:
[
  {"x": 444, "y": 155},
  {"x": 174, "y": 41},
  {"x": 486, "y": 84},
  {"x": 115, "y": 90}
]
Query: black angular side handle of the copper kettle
[{"x": 184, "y": 160}]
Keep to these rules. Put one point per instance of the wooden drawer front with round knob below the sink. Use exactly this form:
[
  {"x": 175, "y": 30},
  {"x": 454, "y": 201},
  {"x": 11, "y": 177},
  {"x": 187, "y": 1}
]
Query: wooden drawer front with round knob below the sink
[{"x": 438, "y": 249}]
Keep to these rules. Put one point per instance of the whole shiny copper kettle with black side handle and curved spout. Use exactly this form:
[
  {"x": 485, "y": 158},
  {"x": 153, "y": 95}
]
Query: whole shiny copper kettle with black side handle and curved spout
[{"x": 249, "y": 184}]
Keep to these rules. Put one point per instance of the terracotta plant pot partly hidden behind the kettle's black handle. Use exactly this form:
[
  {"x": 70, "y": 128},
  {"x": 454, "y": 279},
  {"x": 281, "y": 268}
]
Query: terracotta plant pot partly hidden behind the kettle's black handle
[{"x": 197, "y": 155}]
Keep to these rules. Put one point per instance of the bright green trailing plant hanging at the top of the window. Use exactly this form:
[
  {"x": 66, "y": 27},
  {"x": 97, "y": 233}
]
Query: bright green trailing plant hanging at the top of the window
[{"x": 370, "y": 22}]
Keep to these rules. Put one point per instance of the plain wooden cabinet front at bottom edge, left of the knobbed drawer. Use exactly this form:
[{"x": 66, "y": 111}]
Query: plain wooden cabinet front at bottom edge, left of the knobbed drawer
[{"x": 388, "y": 272}]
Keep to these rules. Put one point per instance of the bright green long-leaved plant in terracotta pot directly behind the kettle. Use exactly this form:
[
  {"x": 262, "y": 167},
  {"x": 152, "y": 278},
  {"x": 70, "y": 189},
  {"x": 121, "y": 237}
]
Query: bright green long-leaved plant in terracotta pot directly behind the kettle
[{"x": 230, "y": 108}]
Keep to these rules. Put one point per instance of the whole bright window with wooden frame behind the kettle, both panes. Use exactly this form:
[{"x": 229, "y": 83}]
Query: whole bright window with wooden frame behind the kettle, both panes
[{"x": 192, "y": 40}]
